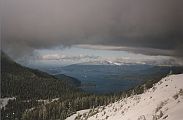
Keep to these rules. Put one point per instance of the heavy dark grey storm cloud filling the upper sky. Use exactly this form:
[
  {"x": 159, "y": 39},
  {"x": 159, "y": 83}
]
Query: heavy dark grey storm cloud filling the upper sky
[{"x": 141, "y": 25}]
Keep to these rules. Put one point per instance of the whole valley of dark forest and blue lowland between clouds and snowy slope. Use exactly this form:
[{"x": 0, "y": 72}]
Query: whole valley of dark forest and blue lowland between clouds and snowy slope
[{"x": 30, "y": 94}]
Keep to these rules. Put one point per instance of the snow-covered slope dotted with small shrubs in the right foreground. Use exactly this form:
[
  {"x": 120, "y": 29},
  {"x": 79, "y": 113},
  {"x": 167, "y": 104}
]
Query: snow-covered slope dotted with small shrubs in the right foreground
[{"x": 164, "y": 101}]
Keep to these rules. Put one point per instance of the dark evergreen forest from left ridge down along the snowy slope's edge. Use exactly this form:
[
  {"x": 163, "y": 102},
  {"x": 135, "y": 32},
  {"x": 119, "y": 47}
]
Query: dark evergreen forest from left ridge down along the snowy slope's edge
[{"x": 40, "y": 96}]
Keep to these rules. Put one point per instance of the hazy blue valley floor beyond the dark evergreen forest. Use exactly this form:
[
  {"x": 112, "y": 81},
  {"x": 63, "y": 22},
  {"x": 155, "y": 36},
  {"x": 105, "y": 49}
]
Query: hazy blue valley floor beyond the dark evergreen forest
[{"x": 103, "y": 79}]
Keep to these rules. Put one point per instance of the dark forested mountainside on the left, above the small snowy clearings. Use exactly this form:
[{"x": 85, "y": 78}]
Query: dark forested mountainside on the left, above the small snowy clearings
[{"x": 27, "y": 83}]
